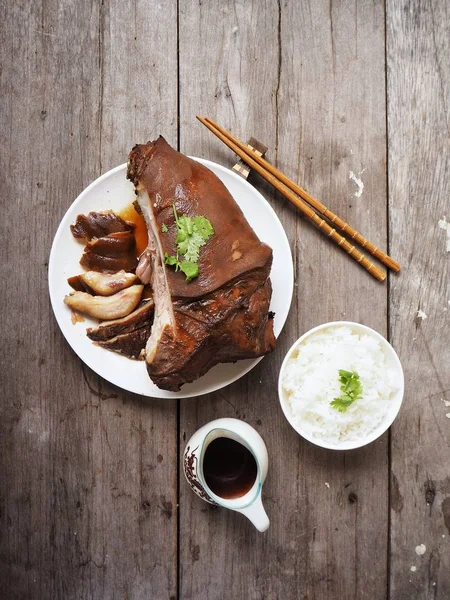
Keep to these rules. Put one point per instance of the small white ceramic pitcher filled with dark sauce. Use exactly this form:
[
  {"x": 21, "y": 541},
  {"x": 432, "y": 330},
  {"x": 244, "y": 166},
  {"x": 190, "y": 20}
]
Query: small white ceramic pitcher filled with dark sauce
[{"x": 225, "y": 463}]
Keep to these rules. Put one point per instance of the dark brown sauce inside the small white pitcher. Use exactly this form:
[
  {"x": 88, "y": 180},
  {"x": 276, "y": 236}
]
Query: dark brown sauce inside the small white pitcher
[{"x": 229, "y": 468}]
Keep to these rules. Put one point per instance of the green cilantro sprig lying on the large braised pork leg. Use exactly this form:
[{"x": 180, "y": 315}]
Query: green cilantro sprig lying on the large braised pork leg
[{"x": 192, "y": 234}]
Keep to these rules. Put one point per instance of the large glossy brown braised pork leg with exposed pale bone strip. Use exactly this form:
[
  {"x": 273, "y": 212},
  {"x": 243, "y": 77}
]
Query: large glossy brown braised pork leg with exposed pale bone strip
[{"x": 223, "y": 314}]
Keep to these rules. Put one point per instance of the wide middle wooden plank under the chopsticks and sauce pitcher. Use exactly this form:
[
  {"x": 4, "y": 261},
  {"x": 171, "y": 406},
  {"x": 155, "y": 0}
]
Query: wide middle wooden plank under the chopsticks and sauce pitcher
[{"x": 307, "y": 79}]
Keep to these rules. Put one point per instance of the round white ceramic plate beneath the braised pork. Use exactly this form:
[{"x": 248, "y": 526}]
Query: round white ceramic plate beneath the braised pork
[{"x": 113, "y": 191}]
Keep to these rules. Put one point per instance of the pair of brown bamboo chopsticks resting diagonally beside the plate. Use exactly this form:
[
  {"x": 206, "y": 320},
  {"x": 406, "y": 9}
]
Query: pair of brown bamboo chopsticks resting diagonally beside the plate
[{"x": 306, "y": 204}]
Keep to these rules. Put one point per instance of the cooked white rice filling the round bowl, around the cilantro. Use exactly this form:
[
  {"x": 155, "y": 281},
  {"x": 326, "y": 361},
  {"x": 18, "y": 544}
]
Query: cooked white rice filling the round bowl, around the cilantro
[{"x": 311, "y": 381}]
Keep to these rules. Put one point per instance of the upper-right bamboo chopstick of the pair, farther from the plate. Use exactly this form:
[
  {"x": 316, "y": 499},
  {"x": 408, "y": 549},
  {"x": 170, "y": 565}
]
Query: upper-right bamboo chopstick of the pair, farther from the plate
[{"x": 321, "y": 208}]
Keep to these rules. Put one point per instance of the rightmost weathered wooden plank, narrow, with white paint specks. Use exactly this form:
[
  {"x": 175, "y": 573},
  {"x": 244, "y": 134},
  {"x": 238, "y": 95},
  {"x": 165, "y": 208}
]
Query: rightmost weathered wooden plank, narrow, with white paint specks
[{"x": 418, "y": 44}]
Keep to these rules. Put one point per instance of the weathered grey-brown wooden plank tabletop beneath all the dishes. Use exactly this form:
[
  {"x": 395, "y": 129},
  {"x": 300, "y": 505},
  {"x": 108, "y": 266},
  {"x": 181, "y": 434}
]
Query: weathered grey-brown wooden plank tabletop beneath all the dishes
[{"x": 93, "y": 503}]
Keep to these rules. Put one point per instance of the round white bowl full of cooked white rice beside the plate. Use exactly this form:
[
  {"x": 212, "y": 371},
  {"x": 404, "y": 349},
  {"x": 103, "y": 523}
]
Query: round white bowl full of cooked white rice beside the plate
[{"x": 309, "y": 381}]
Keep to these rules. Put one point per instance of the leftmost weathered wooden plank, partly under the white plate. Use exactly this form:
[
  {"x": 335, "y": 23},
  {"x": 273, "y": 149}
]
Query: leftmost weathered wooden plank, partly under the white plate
[{"x": 88, "y": 493}]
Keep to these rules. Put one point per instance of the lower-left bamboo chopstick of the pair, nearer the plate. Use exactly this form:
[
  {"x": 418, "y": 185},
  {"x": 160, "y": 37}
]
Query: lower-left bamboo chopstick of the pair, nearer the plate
[{"x": 299, "y": 203}]
